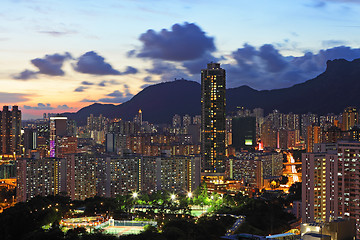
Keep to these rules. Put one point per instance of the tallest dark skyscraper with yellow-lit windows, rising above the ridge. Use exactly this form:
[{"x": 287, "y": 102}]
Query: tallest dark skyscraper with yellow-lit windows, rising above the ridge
[{"x": 213, "y": 86}]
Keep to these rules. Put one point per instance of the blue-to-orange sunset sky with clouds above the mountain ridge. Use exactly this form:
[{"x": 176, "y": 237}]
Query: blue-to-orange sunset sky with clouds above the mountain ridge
[{"x": 60, "y": 56}]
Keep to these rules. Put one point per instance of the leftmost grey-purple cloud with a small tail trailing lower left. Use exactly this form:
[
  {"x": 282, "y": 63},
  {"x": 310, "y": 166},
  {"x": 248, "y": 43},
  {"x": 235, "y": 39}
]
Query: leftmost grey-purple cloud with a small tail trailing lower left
[{"x": 49, "y": 65}]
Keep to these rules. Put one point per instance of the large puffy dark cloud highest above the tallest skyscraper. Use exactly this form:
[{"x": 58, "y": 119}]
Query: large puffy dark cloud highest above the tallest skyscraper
[{"x": 182, "y": 42}]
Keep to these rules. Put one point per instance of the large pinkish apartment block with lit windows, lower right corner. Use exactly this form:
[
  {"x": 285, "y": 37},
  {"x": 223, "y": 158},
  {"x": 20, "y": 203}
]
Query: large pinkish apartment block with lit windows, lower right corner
[{"x": 330, "y": 187}]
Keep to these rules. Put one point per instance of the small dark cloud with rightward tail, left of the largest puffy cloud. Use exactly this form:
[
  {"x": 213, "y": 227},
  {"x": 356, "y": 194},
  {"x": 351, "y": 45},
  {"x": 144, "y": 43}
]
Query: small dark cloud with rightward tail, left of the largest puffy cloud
[{"x": 92, "y": 63}]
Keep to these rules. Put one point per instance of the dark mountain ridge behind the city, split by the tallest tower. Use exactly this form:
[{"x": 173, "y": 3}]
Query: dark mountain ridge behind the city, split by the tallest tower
[{"x": 330, "y": 92}]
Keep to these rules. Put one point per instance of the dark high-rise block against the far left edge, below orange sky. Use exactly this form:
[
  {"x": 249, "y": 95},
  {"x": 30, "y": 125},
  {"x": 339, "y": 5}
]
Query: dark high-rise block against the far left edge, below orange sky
[{"x": 10, "y": 130}]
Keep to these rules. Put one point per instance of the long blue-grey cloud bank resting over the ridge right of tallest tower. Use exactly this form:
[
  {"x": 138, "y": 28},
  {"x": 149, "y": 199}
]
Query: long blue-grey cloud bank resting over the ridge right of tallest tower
[{"x": 267, "y": 68}]
